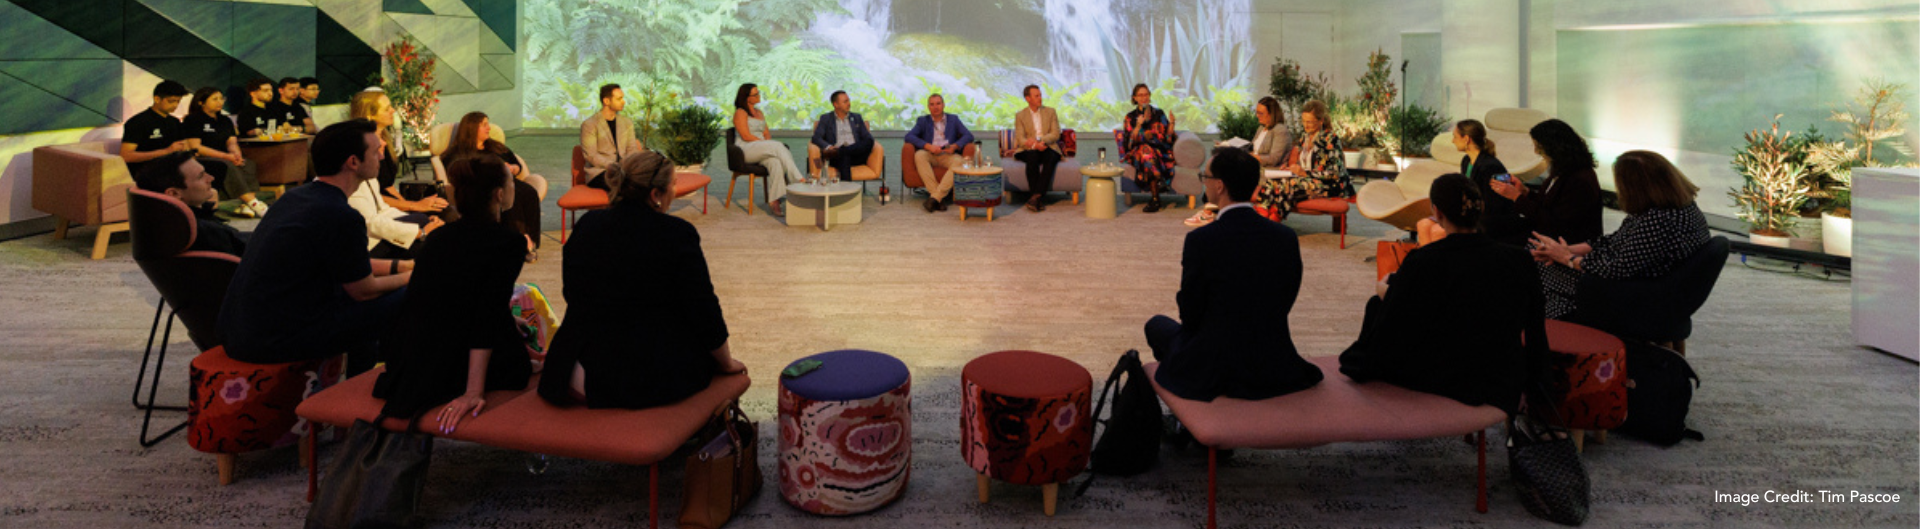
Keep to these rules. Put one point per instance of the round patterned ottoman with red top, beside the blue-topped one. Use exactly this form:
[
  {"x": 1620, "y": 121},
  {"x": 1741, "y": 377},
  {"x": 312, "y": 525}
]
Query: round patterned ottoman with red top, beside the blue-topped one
[{"x": 1026, "y": 419}]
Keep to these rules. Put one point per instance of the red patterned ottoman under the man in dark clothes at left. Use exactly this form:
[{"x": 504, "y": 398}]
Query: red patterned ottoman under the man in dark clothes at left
[{"x": 235, "y": 407}]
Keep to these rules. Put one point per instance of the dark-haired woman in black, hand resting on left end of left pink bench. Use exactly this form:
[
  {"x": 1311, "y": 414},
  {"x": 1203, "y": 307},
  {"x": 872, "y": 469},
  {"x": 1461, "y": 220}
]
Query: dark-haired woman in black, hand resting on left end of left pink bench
[{"x": 456, "y": 336}]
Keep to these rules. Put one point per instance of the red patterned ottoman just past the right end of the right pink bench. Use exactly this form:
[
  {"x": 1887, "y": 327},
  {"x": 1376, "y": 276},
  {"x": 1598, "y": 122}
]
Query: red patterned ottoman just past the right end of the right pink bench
[{"x": 1595, "y": 392}]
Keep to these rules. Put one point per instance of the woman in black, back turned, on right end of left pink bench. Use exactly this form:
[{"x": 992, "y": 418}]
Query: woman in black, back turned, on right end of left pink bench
[{"x": 644, "y": 327}]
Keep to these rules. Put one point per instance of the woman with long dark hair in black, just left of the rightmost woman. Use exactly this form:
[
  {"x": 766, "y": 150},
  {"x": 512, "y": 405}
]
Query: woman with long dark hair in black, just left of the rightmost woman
[{"x": 1570, "y": 208}]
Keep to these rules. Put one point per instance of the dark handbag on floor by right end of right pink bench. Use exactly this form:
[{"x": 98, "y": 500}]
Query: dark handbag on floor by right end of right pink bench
[{"x": 1547, "y": 472}]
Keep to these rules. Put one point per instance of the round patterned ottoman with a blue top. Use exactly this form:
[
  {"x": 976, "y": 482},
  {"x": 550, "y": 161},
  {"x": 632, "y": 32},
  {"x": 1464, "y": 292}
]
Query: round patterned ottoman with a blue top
[{"x": 846, "y": 434}]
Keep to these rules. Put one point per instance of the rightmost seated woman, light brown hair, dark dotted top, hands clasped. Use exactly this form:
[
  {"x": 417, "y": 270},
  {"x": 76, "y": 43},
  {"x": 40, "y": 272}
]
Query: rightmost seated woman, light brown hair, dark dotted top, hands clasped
[{"x": 1662, "y": 229}]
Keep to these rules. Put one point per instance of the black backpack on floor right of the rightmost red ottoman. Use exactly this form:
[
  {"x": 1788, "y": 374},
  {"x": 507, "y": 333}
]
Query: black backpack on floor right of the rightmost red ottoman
[{"x": 1658, "y": 394}]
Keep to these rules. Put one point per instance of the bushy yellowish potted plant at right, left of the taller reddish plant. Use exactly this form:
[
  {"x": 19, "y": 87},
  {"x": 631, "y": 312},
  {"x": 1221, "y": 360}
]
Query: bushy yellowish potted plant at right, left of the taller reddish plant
[{"x": 1773, "y": 191}]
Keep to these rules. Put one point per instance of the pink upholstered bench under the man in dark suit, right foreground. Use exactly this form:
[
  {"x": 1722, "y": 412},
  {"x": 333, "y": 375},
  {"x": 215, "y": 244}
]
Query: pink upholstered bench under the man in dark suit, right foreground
[{"x": 1335, "y": 411}]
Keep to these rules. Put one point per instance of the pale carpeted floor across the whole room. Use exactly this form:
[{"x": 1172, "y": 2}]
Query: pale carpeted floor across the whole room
[{"x": 1787, "y": 402}]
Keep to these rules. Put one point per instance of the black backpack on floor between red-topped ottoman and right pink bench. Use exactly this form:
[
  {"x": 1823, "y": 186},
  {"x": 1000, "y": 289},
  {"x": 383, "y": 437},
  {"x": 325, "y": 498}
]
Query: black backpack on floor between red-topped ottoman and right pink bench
[{"x": 1130, "y": 444}]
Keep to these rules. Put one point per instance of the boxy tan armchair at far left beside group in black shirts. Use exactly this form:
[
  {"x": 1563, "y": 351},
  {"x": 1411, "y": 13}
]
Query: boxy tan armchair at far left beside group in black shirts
[{"x": 84, "y": 185}]
